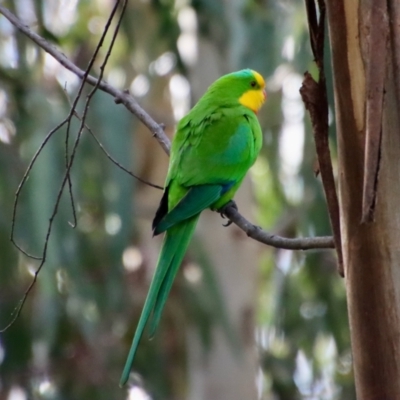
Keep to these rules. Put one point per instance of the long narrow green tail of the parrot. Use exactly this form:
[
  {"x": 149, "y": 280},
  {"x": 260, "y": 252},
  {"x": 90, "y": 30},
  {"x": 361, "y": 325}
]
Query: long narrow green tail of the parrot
[{"x": 176, "y": 241}]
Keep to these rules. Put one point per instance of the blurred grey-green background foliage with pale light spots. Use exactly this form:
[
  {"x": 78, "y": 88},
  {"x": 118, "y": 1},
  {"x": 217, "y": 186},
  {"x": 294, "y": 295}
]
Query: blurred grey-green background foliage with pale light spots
[{"x": 72, "y": 336}]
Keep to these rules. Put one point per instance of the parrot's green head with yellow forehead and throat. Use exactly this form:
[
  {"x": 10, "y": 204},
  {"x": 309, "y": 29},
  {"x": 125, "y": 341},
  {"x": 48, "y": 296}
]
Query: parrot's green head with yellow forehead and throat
[{"x": 246, "y": 87}]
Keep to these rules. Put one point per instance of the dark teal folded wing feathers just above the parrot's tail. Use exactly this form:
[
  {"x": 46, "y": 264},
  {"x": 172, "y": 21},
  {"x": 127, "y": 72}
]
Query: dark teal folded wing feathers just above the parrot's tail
[{"x": 197, "y": 199}]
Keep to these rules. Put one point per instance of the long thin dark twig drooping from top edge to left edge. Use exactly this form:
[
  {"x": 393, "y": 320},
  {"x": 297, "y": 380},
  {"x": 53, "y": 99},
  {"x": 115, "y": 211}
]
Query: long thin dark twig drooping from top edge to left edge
[{"x": 19, "y": 307}]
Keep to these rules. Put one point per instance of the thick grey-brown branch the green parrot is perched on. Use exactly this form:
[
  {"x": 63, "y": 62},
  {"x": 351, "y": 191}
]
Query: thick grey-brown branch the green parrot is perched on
[{"x": 132, "y": 105}]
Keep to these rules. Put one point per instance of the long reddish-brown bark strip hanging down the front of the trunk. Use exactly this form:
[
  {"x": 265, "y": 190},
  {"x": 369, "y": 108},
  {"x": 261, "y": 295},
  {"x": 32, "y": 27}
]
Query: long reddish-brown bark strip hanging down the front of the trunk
[{"x": 376, "y": 75}]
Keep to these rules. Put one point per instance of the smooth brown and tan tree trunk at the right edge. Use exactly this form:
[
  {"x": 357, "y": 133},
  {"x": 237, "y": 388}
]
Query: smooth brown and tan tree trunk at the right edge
[{"x": 371, "y": 250}]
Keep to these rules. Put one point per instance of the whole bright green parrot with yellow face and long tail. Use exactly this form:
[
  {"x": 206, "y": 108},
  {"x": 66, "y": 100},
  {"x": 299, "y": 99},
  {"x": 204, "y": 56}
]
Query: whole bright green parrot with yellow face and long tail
[{"x": 214, "y": 146}]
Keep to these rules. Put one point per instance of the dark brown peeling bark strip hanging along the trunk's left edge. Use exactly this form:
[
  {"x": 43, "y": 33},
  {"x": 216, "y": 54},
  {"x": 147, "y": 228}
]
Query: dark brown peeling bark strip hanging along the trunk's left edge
[{"x": 315, "y": 99}]
